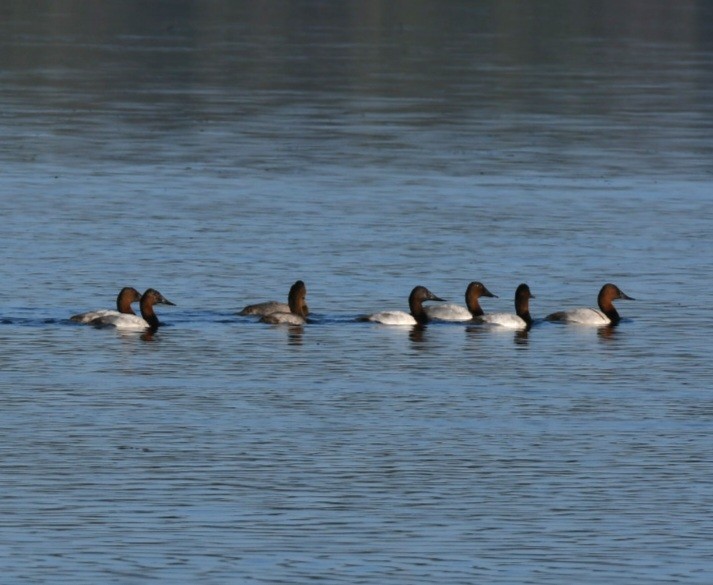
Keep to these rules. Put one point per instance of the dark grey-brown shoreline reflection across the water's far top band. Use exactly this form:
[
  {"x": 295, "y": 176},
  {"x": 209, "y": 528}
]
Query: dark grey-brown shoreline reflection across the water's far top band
[{"x": 225, "y": 86}]
